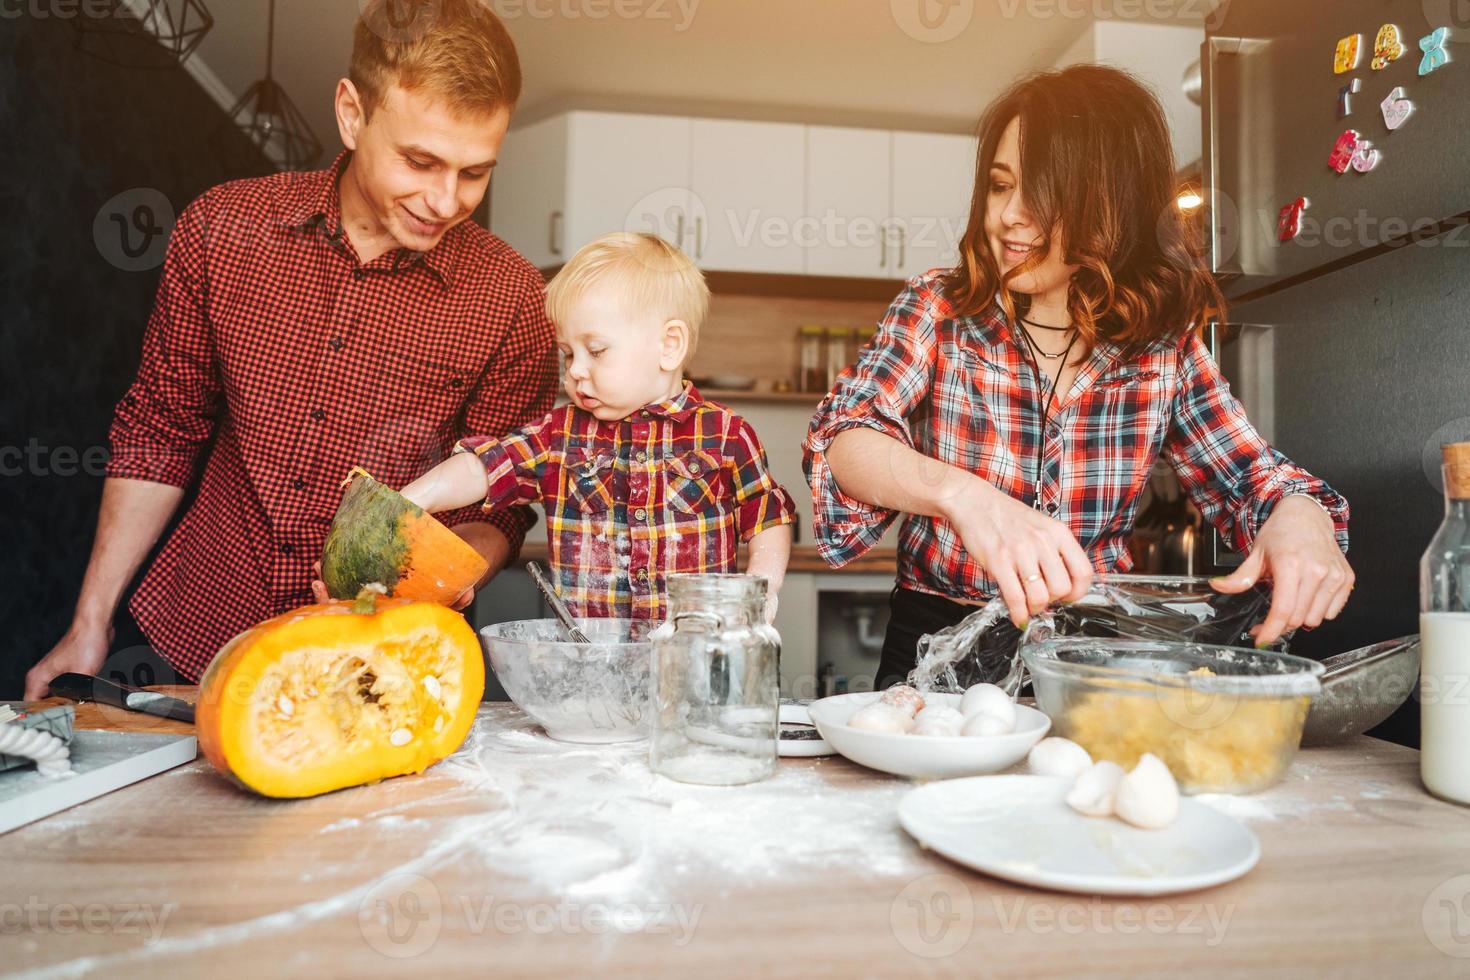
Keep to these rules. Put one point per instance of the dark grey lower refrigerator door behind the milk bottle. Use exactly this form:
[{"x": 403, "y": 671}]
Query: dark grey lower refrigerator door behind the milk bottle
[{"x": 1372, "y": 372}]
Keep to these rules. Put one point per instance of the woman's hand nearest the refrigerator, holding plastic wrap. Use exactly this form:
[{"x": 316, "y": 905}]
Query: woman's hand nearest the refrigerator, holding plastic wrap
[{"x": 1299, "y": 553}]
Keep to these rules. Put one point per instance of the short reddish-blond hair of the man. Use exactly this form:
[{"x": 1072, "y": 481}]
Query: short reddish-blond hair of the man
[{"x": 455, "y": 51}]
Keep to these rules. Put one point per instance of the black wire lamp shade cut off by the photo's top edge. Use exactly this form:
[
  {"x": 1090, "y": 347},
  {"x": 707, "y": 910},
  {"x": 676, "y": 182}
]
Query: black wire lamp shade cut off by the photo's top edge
[{"x": 142, "y": 33}]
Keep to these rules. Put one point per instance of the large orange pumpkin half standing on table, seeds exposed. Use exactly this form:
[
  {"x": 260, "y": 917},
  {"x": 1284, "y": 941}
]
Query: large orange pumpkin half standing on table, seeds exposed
[{"x": 340, "y": 694}]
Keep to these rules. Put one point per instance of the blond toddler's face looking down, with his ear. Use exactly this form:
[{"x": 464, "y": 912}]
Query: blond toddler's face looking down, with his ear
[{"x": 620, "y": 361}]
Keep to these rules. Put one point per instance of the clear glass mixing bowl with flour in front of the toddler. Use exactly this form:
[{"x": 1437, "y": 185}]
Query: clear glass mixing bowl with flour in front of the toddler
[{"x": 578, "y": 693}]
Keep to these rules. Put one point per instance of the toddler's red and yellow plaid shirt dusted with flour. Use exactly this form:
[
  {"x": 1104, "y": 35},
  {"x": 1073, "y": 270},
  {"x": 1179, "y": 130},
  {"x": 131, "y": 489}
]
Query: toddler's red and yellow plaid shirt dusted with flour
[{"x": 673, "y": 489}]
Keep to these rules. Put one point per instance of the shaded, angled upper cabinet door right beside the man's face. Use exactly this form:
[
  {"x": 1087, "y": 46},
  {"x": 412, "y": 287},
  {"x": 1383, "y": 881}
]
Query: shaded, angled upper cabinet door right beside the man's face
[{"x": 528, "y": 192}]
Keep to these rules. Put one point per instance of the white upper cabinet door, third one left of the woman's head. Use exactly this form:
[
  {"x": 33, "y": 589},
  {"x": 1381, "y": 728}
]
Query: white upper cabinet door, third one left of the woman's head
[{"x": 749, "y": 195}]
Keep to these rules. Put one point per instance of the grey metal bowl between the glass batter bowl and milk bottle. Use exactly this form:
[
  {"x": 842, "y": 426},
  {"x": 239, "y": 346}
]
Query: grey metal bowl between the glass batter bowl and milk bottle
[{"x": 1362, "y": 688}]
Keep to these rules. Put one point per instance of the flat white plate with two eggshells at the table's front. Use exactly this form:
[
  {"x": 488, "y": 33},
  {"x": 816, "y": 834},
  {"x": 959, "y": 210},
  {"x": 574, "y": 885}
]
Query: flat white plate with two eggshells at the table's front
[{"x": 1021, "y": 829}]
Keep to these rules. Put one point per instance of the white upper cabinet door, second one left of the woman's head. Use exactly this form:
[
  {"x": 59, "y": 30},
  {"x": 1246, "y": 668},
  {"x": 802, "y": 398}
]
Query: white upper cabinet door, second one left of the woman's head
[{"x": 849, "y": 203}]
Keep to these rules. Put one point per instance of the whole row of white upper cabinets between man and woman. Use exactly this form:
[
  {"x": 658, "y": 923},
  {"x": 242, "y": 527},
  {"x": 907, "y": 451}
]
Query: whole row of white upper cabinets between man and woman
[{"x": 739, "y": 196}]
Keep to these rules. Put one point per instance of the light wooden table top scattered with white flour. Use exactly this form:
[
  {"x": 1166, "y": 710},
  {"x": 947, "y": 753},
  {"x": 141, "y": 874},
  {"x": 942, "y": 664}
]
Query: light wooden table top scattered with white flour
[{"x": 524, "y": 857}]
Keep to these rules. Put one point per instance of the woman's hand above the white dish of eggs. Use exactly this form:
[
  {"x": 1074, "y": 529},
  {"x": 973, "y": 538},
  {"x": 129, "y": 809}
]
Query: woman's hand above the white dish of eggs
[{"x": 1034, "y": 559}]
